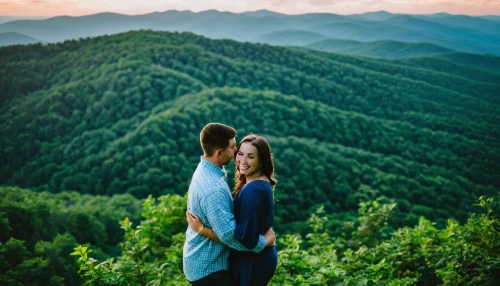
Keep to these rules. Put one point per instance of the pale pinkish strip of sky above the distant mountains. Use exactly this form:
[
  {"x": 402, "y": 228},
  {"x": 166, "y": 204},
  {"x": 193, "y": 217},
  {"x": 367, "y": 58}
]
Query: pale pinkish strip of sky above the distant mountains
[{"x": 134, "y": 7}]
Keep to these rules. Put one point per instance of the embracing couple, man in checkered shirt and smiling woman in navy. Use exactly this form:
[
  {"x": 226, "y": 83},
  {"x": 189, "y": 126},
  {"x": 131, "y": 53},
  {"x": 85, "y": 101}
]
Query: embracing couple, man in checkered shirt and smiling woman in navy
[{"x": 229, "y": 240}]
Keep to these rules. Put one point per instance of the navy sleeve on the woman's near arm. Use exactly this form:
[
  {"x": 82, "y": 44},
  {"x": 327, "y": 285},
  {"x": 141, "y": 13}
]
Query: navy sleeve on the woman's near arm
[{"x": 247, "y": 226}]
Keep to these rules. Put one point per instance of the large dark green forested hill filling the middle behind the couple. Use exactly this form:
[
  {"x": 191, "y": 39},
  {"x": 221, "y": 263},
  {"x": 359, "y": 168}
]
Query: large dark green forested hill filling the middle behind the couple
[{"x": 122, "y": 114}]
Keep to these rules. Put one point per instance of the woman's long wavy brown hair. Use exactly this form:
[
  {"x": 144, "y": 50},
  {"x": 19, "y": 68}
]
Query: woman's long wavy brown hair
[{"x": 265, "y": 158}]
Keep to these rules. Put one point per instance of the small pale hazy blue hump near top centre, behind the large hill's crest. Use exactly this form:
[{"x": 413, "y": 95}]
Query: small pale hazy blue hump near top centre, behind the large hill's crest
[{"x": 291, "y": 37}]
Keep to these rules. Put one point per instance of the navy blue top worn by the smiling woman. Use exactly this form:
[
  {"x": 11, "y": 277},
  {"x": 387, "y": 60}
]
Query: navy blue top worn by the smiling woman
[{"x": 254, "y": 214}]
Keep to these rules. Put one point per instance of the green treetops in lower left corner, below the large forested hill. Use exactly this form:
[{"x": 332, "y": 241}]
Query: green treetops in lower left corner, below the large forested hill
[{"x": 40, "y": 230}]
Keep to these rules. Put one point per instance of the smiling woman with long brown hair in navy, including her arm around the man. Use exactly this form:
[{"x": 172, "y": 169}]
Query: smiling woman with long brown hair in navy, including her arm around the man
[{"x": 253, "y": 211}]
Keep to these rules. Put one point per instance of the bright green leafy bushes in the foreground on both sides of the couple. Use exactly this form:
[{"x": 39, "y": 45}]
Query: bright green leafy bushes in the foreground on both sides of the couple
[{"x": 367, "y": 253}]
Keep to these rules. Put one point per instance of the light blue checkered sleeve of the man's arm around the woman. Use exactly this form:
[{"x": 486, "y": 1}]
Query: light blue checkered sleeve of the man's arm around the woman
[{"x": 218, "y": 213}]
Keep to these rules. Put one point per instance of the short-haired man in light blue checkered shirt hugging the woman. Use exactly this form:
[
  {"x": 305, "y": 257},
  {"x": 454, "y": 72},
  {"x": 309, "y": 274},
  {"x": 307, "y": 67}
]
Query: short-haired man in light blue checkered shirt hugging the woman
[{"x": 206, "y": 261}]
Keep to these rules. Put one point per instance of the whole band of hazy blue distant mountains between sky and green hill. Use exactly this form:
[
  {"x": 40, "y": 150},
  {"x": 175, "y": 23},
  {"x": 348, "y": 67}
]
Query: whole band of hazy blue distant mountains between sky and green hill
[{"x": 456, "y": 32}]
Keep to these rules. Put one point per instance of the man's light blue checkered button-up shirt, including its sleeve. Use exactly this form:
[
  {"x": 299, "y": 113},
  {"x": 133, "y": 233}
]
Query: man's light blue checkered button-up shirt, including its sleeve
[{"x": 210, "y": 199}]
